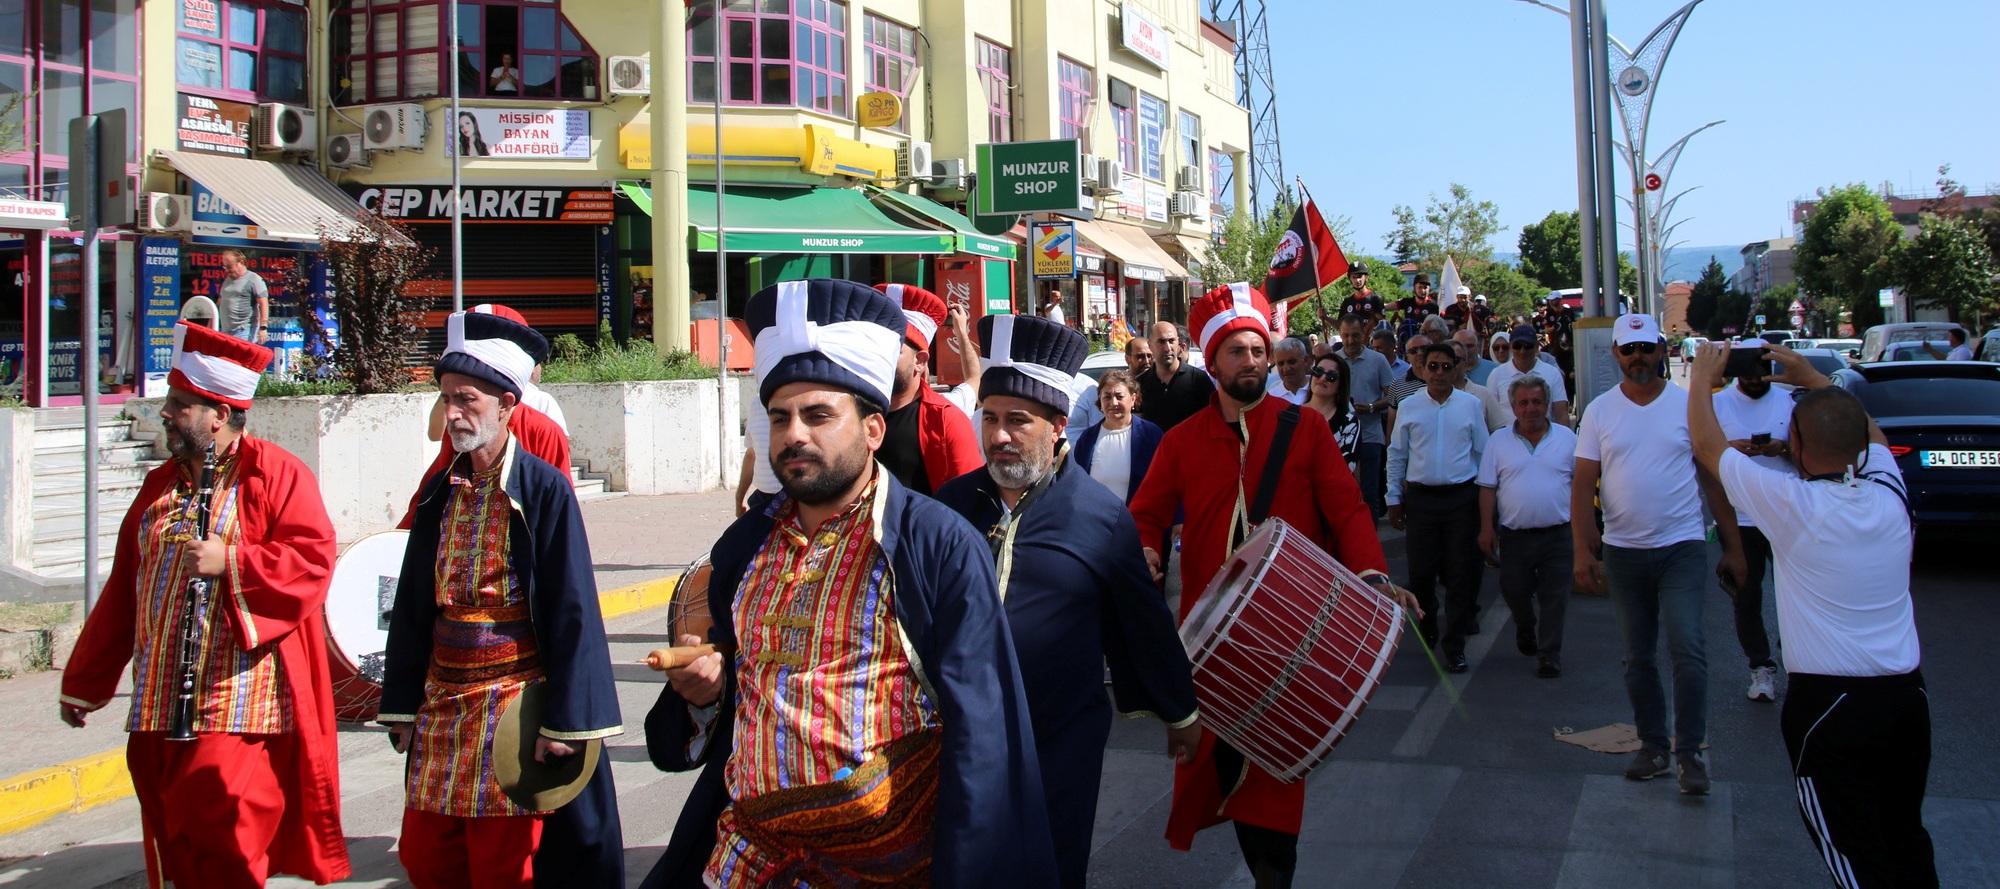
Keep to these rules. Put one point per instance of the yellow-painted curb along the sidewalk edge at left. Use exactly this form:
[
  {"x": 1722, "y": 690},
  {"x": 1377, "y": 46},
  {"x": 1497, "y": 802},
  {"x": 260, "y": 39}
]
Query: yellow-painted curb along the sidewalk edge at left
[{"x": 37, "y": 796}]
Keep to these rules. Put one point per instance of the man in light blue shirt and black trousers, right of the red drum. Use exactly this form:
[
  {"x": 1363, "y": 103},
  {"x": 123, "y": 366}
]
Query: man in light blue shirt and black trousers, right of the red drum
[{"x": 1433, "y": 462}]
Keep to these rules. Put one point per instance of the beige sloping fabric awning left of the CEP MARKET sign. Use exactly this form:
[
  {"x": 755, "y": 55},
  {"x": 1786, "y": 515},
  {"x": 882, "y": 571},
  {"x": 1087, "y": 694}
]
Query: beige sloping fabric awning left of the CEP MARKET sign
[{"x": 285, "y": 201}]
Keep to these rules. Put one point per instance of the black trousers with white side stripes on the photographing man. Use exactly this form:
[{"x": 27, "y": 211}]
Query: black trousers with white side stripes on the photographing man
[{"x": 1861, "y": 756}]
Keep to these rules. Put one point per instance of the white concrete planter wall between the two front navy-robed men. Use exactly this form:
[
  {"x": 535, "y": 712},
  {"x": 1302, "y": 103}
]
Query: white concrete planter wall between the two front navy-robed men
[{"x": 655, "y": 437}]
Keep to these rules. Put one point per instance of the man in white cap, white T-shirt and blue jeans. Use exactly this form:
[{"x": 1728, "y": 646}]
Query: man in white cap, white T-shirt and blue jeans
[{"x": 1635, "y": 439}]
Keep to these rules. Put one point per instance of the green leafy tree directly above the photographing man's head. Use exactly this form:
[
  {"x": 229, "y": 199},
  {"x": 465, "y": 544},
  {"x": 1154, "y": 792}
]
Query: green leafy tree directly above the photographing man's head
[{"x": 1847, "y": 251}]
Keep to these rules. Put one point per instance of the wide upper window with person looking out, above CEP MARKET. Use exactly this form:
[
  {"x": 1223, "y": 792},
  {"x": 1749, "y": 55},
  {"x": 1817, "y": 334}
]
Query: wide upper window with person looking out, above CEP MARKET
[{"x": 509, "y": 49}]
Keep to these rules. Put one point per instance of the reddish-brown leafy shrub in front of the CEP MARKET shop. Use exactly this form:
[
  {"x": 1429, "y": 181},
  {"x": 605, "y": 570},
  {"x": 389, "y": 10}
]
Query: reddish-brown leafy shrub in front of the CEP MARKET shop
[{"x": 371, "y": 263}]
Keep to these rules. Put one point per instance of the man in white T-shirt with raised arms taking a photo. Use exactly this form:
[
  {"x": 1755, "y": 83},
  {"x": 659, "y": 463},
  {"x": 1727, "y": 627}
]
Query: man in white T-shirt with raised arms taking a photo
[{"x": 1841, "y": 534}]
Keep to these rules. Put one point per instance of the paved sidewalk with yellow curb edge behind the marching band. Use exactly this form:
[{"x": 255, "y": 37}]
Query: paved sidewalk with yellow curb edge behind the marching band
[{"x": 47, "y": 770}]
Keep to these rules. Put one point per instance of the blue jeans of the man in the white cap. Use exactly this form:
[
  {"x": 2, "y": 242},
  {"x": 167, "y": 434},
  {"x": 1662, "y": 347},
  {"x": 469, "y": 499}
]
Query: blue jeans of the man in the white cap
[{"x": 1663, "y": 590}]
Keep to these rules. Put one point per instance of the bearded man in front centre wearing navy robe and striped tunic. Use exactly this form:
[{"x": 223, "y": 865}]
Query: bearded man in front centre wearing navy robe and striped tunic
[{"x": 867, "y": 724}]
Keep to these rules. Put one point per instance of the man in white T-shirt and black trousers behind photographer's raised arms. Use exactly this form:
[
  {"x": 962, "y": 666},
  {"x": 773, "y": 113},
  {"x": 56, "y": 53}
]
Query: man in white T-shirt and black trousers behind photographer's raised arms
[{"x": 1757, "y": 423}]
